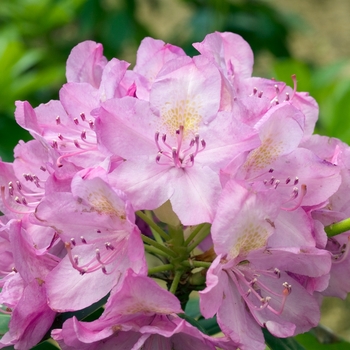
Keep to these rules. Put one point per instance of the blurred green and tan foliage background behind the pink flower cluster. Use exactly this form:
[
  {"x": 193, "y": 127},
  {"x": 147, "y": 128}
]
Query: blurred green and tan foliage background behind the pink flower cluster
[{"x": 306, "y": 38}]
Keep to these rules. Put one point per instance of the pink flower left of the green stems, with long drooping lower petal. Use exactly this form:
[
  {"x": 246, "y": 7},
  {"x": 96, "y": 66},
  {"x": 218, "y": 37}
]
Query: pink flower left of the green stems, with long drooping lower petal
[{"x": 96, "y": 224}]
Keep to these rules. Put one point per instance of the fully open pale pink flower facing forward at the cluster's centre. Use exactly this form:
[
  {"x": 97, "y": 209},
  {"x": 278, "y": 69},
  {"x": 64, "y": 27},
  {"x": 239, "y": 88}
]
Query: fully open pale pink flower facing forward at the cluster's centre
[{"x": 176, "y": 143}]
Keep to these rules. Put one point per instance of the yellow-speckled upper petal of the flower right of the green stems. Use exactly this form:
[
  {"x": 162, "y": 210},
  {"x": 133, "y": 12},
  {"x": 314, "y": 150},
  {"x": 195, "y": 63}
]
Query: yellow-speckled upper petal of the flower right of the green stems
[{"x": 244, "y": 220}]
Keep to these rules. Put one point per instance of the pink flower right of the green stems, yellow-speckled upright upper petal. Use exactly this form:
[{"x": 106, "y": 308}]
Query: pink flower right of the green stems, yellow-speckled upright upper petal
[{"x": 251, "y": 274}]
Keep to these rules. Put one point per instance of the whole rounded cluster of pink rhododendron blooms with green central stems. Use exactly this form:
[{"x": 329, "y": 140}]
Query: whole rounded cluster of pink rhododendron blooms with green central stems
[{"x": 233, "y": 196}]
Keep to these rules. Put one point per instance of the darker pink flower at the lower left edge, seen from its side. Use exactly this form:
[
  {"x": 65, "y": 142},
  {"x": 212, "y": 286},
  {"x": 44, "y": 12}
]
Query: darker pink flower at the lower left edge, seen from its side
[{"x": 24, "y": 291}]
